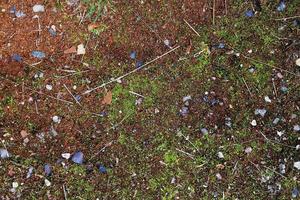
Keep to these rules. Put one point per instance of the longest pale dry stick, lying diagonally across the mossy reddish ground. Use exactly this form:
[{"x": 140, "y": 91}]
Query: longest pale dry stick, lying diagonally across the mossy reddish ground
[{"x": 131, "y": 72}]
